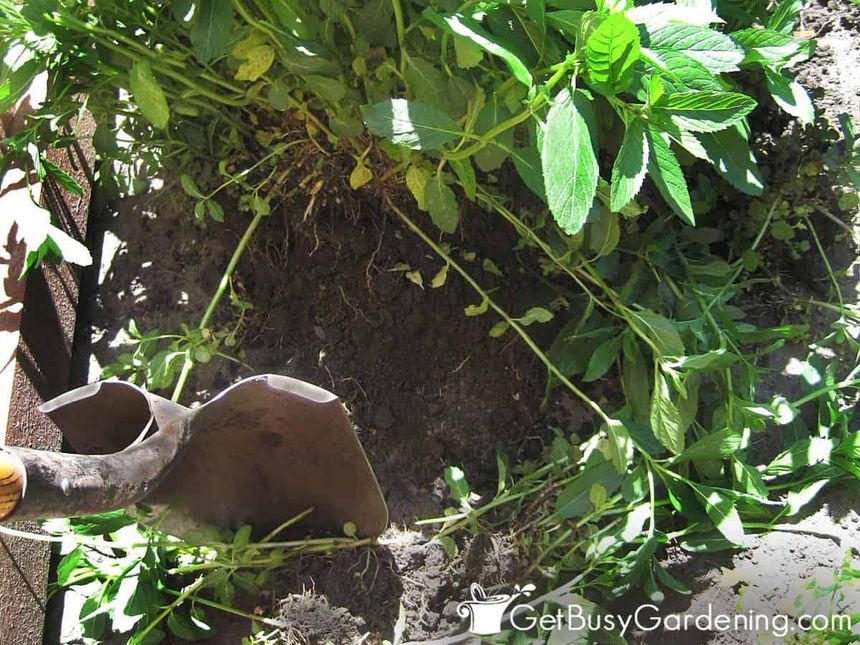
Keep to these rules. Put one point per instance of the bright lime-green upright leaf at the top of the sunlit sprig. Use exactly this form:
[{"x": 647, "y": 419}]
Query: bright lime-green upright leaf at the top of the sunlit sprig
[{"x": 611, "y": 51}]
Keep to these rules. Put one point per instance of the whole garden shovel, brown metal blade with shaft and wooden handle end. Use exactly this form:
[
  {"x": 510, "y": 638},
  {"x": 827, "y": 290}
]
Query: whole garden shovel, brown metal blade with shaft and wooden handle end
[{"x": 264, "y": 450}]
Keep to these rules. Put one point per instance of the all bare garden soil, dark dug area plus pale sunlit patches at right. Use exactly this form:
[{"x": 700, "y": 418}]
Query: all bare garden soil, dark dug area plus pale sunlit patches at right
[{"x": 425, "y": 385}]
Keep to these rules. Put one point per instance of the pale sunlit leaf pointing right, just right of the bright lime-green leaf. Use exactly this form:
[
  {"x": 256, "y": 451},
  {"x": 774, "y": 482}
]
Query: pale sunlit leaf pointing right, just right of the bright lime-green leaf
[{"x": 716, "y": 51}]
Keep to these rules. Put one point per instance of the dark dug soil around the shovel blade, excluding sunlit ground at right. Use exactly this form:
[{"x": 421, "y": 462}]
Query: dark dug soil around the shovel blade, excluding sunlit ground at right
[{"x": 426, "y": 385}]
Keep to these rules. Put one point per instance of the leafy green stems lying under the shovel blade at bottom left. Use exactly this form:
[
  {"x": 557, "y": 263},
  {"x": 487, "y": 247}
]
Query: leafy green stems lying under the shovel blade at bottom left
[{"x": 138, "y": 581}]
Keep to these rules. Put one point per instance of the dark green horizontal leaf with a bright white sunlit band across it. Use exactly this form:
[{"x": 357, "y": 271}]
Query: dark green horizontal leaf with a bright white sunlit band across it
[{"x": 411, "y": 124}]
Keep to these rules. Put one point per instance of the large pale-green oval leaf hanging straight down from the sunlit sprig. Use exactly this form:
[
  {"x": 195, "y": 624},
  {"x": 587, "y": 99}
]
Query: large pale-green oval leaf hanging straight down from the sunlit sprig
[{"x": 569, "y": 164}]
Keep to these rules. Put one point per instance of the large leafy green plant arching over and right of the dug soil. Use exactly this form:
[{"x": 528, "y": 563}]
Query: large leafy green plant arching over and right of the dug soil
[{"x": 586, "y": 99}]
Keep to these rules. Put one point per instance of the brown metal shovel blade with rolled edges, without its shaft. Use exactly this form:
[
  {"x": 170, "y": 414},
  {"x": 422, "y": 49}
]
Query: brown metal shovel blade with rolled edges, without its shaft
[{"x": 264, "y": 450}]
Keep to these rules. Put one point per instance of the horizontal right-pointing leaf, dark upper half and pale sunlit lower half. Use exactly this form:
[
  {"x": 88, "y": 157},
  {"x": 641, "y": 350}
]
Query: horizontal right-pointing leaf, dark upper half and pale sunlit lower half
[{"x": 704, "y": 111}]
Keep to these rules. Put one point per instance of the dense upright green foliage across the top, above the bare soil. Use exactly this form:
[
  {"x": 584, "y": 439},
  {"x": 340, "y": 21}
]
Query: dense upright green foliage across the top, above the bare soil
[{"x": 465, "y": 88}]
